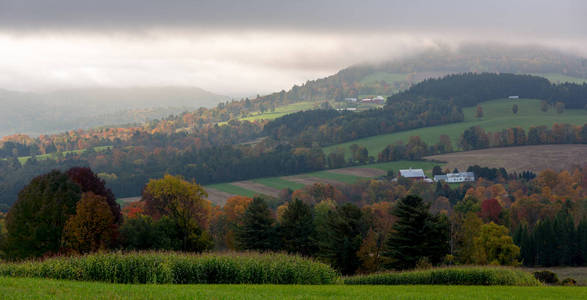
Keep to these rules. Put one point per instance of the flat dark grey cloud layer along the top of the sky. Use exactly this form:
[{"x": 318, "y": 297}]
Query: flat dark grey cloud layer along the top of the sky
[{"x": 525, "y": 16}]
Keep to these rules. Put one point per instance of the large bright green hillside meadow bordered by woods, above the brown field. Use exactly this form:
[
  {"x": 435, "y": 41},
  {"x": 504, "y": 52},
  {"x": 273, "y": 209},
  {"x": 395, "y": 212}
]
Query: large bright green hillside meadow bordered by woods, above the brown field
[{"x": 498, "y": 115}]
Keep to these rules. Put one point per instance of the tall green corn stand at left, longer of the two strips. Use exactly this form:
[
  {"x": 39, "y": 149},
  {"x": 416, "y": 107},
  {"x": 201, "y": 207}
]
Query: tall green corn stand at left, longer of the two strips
[{"x": 173, "y": 267}]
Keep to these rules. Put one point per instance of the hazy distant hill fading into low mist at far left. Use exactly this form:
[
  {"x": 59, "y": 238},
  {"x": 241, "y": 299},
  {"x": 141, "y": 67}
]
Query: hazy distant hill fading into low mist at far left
[{"x": 39, "y": 113}]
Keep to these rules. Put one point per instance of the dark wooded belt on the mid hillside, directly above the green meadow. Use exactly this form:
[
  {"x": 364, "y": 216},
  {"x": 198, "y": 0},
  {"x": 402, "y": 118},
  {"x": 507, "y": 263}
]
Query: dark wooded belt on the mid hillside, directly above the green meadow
[{"x": 329, "y": 127}]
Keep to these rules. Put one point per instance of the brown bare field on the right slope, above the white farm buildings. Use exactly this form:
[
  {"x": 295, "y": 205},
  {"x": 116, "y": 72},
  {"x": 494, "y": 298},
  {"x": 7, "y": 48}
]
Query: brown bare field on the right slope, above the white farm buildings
[{"x": 532, "y": 158}]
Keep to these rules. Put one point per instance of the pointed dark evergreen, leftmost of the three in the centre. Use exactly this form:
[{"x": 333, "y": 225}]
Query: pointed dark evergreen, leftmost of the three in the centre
[{"x": 257, "y": 231}]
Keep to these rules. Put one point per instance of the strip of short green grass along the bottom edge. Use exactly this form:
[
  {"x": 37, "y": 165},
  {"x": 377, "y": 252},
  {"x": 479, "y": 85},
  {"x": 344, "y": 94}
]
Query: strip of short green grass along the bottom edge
[{"x": 27, "y": 288}]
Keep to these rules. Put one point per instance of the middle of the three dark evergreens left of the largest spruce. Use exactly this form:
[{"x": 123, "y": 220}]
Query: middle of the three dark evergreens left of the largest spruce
[{"x": 297, "y": 229}]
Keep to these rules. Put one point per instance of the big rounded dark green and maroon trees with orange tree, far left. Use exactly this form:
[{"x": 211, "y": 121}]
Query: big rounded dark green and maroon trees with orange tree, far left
[{"x": 61, "y": 212}]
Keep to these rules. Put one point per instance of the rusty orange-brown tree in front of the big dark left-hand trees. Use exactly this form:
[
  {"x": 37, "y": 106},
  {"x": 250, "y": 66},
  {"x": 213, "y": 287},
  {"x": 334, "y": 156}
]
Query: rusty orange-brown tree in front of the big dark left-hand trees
[{"x": 92, "y": 227}]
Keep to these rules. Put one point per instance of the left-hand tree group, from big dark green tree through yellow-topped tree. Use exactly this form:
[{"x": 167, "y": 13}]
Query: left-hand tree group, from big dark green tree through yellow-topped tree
[{"x": 74, "y": 213}]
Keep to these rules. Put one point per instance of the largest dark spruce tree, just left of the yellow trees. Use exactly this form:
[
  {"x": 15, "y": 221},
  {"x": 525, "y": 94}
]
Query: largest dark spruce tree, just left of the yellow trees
[{"x": 416, "y": 235}]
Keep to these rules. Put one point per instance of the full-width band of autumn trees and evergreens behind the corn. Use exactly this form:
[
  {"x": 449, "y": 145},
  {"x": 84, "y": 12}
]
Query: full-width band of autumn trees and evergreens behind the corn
[{"x": 364, "y": 227}]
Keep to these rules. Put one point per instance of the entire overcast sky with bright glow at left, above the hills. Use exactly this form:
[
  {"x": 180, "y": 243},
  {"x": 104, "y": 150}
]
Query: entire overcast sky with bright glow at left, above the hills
[{"x": 240, "y": 48}]
